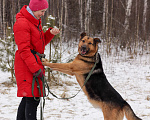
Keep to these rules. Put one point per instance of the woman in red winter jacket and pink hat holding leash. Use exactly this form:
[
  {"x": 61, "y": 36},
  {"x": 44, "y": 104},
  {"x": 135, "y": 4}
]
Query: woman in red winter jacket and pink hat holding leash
[{"x": 29, "y": 36}]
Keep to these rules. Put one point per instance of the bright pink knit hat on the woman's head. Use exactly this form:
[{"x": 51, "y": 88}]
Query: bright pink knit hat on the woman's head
[{"x": 36, "y": 5}]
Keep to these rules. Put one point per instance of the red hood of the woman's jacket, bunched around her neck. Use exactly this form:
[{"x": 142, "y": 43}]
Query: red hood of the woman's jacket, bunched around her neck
[{"x": 25, "y": 14}]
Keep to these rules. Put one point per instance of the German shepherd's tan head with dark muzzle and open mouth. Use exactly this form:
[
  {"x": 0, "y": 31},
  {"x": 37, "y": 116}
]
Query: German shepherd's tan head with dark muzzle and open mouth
[{"x": 88, "y": 46}]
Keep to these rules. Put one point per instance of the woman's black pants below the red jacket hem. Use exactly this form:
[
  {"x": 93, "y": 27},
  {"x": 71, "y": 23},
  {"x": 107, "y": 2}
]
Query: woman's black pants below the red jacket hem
[{"x": 27, "y": 109}]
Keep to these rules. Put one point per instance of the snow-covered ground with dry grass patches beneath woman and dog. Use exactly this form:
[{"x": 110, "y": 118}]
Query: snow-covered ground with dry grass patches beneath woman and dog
[{"x": 130, "y": 77}]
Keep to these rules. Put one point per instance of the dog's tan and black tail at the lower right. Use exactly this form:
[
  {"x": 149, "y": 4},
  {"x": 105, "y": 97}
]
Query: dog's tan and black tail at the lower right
[{"x": 130, "y": 115}]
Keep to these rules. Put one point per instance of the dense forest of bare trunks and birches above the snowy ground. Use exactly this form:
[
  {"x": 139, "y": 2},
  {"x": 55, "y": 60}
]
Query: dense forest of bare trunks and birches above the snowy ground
[{"x": 122, "y": 25}]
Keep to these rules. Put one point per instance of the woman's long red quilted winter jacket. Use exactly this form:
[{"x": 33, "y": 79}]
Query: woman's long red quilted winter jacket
[{"x": 28, "y": 35}]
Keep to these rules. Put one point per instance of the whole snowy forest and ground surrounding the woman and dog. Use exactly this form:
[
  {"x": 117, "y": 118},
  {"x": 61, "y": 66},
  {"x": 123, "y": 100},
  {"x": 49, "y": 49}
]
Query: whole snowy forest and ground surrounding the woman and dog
[{"x": 124, "y": 29}]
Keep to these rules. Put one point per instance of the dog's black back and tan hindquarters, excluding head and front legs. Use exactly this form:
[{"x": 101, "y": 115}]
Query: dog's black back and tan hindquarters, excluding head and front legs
[{"x": 106, "y": 97}]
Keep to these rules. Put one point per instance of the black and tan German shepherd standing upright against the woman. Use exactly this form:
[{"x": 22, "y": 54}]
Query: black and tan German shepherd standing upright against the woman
[{"x": 98, "y": 90}]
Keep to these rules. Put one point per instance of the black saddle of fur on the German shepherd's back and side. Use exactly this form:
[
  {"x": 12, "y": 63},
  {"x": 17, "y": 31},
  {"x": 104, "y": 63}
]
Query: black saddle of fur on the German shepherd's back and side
[{"x": 99, "y": 89}]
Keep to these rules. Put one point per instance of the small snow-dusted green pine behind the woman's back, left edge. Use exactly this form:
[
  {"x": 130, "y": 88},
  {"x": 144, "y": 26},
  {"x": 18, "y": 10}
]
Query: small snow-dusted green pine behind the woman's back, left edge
[{"x": 7, "y": 53}]
